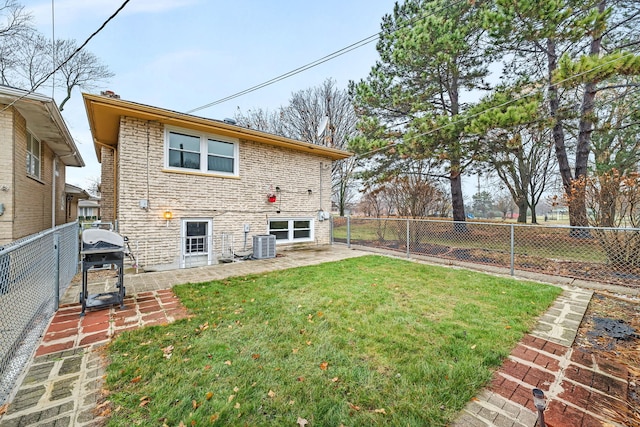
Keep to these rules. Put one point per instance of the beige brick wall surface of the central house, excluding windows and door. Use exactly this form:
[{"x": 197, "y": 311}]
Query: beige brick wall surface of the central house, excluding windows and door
[{"x": 228, "y": 202}]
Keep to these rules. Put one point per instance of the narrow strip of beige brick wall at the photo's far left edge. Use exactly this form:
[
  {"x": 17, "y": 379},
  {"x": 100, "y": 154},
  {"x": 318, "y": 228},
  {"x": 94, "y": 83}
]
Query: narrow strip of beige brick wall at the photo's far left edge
[{"x": 6, "y": 174}]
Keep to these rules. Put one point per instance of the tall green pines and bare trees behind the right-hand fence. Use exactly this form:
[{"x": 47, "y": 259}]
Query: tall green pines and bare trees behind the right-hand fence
[{"x": 562, "y": 118}]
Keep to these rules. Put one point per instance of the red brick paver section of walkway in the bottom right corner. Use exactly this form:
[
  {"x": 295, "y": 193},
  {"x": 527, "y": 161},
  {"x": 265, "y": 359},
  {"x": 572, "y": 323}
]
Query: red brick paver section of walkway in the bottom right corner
[{"x": 583, "y": 389}]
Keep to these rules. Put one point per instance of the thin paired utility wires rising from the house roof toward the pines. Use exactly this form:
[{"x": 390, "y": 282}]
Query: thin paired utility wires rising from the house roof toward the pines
[{"x": 317, "y": 62}]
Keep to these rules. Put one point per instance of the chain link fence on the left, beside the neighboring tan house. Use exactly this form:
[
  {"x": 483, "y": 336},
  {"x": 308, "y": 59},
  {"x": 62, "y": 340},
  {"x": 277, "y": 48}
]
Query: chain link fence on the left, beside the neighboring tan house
[{"x": 34, "y": 272}]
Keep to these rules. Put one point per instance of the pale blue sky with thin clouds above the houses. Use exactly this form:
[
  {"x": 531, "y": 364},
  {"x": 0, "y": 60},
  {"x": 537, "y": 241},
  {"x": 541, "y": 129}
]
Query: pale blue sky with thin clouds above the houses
[{"x": 182, "y": 54}]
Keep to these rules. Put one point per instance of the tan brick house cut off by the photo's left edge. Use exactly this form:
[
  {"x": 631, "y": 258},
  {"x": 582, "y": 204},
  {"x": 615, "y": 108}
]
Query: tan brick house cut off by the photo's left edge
[{"x": 35, "y": 148}]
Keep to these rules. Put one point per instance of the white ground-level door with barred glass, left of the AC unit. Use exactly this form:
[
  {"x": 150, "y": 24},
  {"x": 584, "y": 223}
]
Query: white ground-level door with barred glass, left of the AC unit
[{"x": 197, "y": 242}]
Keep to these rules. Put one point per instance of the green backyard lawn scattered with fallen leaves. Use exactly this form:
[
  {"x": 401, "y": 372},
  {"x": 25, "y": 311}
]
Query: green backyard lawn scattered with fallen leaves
[{"x": 365, "y": 341}]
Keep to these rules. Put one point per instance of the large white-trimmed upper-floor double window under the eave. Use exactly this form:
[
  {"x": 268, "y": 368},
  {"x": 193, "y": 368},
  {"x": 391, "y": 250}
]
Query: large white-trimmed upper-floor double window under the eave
[{"x": 188, "y": 150}]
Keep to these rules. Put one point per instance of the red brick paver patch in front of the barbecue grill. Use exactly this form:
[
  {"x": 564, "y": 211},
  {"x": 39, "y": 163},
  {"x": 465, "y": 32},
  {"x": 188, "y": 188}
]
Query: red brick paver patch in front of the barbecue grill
[{"x": 69, "y": 330}]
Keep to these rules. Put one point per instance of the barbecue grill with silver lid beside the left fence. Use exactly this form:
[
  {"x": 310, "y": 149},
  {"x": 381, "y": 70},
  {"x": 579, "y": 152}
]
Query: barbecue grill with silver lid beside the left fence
[{"x": 100, "y": 247}]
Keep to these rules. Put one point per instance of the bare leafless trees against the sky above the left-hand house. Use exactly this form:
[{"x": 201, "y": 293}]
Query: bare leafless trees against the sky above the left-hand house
[{"x": 28, "y": 58}]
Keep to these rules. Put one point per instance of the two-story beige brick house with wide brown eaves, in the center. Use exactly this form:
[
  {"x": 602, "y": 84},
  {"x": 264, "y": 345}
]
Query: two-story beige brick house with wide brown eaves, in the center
[{"x": 186, "y": 189}]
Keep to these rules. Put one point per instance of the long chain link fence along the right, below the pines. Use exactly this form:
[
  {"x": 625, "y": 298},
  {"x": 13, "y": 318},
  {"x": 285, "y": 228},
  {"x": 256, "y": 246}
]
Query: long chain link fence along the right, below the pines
[{"x": 607, "y": 255}]
